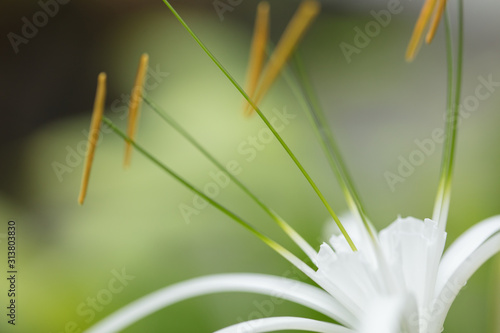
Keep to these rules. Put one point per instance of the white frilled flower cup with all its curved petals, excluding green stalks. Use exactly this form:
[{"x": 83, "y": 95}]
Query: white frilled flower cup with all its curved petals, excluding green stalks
[{"x": 404, "y": 286}]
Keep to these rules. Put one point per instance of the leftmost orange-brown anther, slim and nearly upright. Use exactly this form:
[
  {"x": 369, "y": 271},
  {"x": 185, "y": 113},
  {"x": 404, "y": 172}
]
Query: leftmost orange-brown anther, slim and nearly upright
[{"x": 95, "y": 126}]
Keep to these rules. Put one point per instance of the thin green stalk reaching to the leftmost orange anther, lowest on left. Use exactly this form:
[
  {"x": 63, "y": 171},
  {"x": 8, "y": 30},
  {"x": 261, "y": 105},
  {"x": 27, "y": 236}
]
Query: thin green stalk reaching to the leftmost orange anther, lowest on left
[{"x": 271, "y": 243}]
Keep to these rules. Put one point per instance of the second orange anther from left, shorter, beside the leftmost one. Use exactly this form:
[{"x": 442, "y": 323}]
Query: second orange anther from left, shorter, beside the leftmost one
[{"x": 135, "y": 101}]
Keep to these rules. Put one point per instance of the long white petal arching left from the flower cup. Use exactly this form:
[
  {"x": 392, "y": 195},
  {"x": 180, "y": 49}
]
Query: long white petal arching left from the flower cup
[{"x": 276, "y": 287}]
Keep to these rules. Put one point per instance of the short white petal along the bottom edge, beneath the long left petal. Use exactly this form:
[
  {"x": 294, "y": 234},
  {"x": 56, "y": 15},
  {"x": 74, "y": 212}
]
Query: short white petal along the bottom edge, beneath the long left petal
[{"x": 285, "y": 323}]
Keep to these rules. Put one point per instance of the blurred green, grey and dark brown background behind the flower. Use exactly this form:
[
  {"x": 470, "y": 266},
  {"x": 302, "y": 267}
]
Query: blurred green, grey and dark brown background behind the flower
[{"x": 377, "y": 104}]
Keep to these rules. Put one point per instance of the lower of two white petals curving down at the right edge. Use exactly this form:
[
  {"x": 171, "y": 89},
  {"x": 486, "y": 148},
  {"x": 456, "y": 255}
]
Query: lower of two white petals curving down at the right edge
[{"x": 457, "y": 280}]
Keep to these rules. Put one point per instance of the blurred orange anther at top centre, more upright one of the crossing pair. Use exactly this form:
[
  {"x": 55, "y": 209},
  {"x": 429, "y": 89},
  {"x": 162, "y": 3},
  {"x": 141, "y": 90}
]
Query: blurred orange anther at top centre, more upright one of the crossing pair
[{"x": 257, "y": 52}]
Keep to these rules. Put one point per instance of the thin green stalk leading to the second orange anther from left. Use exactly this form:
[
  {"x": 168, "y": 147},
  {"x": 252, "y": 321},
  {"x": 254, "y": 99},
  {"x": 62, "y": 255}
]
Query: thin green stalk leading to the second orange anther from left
[{"x": 274, "y": 216}]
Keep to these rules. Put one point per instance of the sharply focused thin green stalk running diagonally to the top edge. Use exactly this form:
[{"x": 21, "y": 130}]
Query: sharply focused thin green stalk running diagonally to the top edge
[{"x": 268, "y": 124}]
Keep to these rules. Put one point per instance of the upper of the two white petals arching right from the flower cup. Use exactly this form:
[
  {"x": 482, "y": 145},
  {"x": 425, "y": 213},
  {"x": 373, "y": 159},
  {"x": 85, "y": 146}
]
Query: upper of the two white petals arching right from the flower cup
[{"x": 463, "y": 247}]
